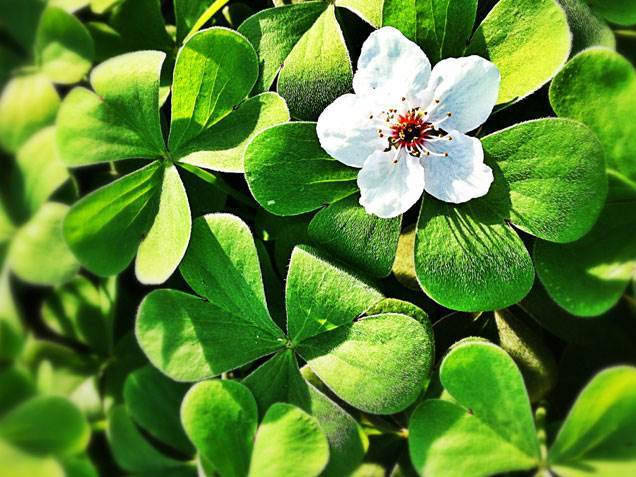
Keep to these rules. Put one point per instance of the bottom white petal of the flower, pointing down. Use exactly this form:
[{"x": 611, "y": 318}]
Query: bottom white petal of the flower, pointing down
[{"x": 388, "y": 189}]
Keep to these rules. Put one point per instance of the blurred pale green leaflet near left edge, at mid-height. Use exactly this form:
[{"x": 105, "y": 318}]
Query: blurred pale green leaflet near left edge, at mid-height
[{"x": 38, "y": 253}]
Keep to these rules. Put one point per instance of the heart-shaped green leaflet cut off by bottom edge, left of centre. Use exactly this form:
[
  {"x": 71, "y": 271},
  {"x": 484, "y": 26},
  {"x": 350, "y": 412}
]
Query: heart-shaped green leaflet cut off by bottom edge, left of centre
[{"x": 221, "y": 417}]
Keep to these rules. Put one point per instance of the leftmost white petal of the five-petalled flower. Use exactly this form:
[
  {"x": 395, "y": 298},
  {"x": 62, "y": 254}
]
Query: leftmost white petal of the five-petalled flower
[{"x": 346, "y": 132}]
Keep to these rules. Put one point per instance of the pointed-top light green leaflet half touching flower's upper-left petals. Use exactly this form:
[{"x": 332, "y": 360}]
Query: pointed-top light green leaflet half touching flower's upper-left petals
[{"x": 310, "y": 82}]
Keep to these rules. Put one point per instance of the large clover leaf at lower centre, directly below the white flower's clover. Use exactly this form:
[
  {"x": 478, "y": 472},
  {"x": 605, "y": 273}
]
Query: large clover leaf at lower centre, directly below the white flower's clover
[{"x": 232, "y": 327}]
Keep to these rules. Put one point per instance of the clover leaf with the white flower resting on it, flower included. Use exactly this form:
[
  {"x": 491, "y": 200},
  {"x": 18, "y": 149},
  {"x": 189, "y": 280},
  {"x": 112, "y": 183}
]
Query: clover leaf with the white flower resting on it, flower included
[{"x": 405, "y": 128}]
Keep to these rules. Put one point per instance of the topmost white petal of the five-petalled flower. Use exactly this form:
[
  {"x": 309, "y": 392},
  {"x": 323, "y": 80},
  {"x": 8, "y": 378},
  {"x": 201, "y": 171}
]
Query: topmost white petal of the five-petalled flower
[{"x": 391, "y": 64}]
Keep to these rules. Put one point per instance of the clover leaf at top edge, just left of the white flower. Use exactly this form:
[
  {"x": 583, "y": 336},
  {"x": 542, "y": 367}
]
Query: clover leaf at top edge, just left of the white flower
[{"x": 284, "y": 38}]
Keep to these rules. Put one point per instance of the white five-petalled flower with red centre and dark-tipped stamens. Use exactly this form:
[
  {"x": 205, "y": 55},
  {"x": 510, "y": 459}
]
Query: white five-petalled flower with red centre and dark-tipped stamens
[{"x": 405, "y": 124}]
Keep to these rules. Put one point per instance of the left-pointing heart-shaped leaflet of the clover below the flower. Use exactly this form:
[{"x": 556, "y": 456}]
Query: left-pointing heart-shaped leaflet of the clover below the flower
[{"x": 189, "y": 338}]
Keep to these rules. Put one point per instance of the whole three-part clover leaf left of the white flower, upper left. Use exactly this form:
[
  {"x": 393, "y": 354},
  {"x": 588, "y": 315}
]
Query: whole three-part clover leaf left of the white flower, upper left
[{"x": 147, "y": 213}]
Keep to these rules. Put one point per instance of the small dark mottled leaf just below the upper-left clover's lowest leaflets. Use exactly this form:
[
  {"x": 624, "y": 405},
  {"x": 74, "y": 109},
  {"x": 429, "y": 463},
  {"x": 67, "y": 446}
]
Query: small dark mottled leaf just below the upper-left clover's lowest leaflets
[{"x": 77, "y": 310}]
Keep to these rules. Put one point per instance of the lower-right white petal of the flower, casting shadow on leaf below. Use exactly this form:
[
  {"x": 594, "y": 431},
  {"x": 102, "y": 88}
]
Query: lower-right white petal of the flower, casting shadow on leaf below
[{"x": 462, "y": 175}]
